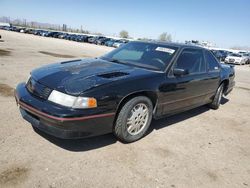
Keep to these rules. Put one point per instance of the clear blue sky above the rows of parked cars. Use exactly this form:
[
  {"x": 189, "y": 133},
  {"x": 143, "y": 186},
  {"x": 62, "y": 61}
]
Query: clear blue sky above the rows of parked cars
[{"x": 223, "y": 22}]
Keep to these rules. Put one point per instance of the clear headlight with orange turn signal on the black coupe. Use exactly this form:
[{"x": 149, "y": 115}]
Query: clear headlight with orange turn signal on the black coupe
[{"x": 72, "y": 101}]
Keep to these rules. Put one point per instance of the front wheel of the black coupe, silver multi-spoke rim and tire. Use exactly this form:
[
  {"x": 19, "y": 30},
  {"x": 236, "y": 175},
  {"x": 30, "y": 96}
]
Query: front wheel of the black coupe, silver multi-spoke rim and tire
[{"x": 134, "y": 119}]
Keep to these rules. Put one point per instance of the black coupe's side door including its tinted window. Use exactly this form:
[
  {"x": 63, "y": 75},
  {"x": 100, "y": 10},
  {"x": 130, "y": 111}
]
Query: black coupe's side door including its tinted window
[{"x": 182, "y": 92}]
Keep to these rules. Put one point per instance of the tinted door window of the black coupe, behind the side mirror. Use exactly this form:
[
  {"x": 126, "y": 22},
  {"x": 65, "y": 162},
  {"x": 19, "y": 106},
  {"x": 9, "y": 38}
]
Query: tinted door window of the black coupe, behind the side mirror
[{"x": 191, "y": 60}]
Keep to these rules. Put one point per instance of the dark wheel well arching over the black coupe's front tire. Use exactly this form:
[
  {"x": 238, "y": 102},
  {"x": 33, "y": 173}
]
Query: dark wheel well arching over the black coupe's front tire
[{"x": 151, "y": 95}]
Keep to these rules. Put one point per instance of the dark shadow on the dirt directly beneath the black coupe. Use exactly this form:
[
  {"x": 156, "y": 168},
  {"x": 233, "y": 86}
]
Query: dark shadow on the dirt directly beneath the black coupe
[{"x": 86, "y": 144}]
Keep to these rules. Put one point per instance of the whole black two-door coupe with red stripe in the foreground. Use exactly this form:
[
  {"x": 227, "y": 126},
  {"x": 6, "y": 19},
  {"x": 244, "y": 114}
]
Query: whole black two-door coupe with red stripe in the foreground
[{"x": 122, "y": 91}]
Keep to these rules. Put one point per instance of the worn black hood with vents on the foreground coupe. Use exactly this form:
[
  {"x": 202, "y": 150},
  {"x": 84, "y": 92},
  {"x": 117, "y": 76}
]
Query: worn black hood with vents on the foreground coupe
[{"x": 77, "y": 76}]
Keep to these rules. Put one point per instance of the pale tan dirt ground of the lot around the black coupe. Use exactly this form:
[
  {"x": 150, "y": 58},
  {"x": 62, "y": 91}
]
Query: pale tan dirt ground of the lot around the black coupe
[{"x": 198, "y": 148}]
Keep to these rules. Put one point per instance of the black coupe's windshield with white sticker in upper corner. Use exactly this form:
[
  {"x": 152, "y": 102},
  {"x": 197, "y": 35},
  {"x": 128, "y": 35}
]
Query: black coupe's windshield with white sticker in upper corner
[{"x": 147, "y": 55}]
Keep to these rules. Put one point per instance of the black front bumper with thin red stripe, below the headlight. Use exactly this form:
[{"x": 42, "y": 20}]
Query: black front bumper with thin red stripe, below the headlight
[{"x": 61, "y": 121}]
